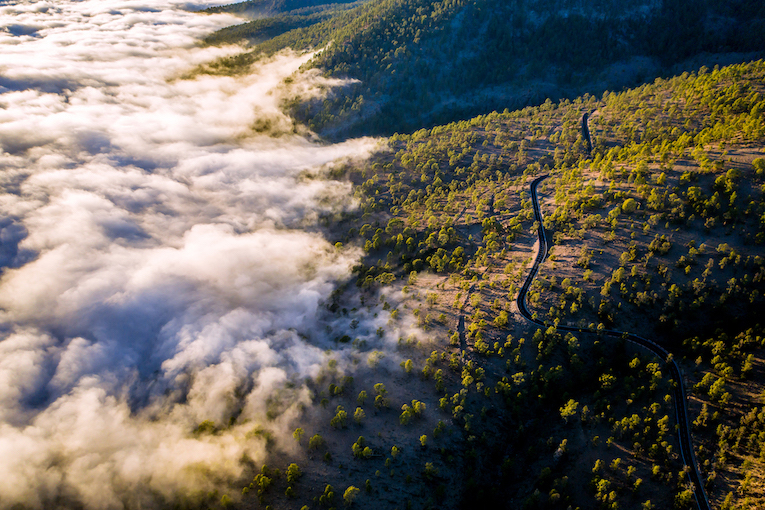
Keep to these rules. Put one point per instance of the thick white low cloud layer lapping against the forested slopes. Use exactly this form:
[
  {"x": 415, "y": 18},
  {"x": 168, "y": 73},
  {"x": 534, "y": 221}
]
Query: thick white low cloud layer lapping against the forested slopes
[{"x": 158, "y": 265}]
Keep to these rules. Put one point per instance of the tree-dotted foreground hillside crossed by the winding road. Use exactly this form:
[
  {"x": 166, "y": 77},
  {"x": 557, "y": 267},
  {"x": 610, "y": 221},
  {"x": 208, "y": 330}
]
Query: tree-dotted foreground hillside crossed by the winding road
[{"x": 659, "y": 231}]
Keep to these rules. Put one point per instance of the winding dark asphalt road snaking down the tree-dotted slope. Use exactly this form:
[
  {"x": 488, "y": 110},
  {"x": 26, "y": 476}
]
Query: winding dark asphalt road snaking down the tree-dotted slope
[{"x": 681, "y": 412}]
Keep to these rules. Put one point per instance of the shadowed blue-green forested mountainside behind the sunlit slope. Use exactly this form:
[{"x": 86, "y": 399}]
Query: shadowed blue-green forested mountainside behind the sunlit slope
[{"x": 423, "y": 62}]
